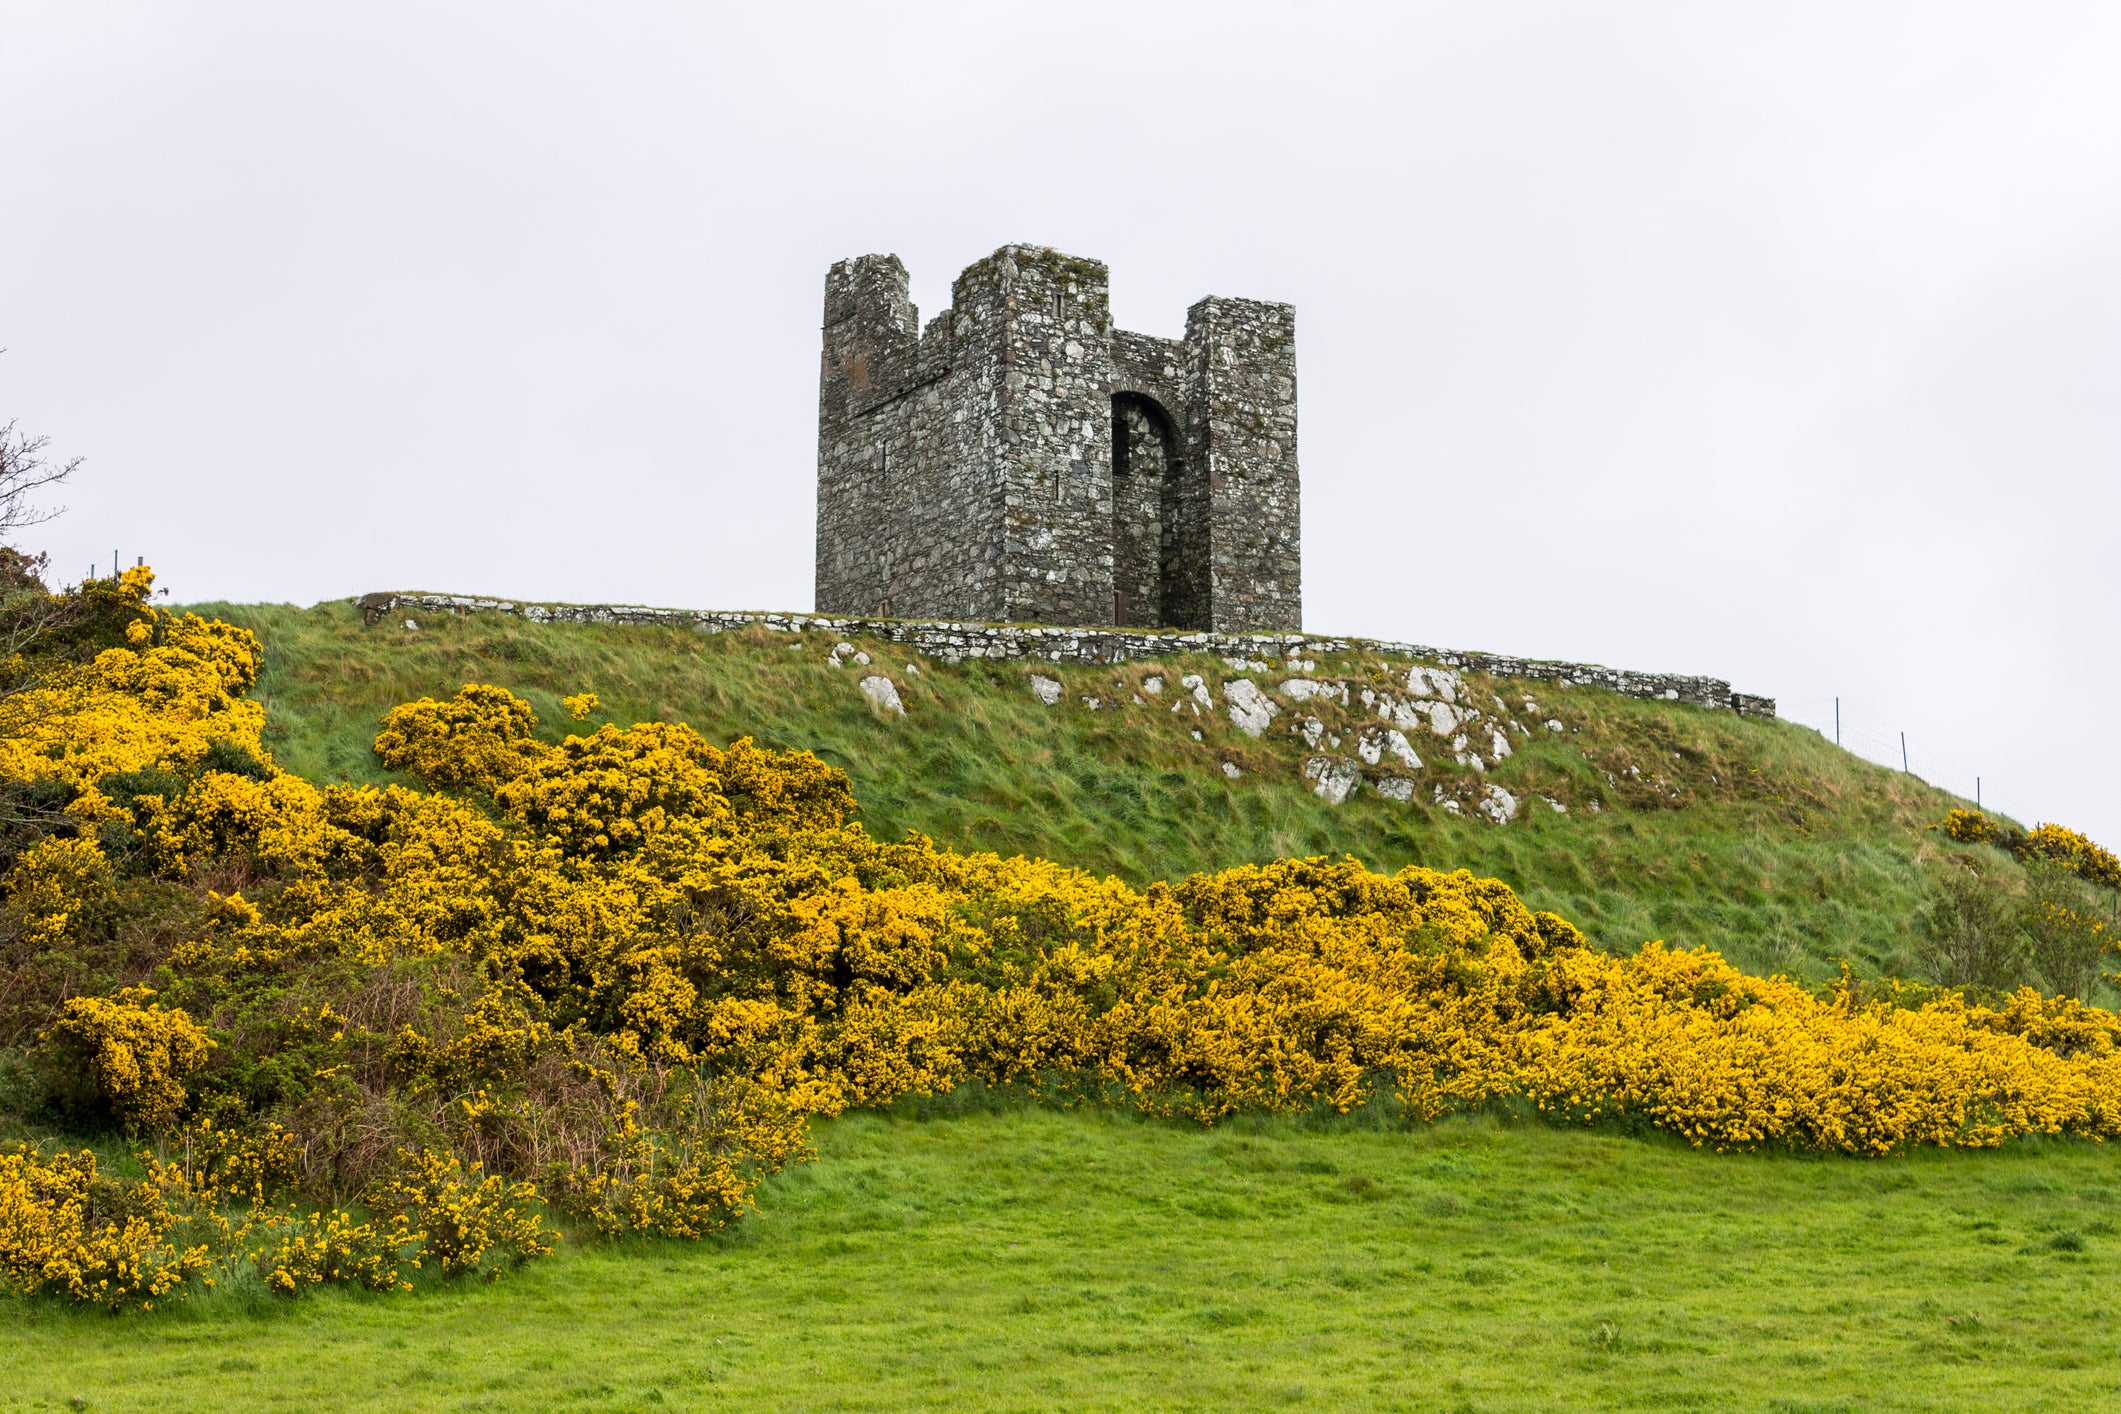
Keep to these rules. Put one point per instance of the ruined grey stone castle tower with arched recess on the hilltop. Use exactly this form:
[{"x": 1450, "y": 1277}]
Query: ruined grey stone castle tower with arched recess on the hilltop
[{"x": 1023, "y": 461}]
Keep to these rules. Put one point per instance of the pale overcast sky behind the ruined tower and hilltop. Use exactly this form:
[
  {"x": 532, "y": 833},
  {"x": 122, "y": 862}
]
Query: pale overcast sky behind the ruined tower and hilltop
[{"x": 1770, "y": 342}]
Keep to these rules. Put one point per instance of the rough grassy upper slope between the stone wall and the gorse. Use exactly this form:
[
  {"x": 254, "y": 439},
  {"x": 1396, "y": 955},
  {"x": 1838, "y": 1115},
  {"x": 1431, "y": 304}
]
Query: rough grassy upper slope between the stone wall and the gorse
[{"x": 1778, "y": 849}]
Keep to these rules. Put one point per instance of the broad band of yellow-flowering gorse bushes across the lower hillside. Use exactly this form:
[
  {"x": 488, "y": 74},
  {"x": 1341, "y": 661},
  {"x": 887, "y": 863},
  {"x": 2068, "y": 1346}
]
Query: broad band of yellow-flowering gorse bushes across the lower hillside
[{"x": 618, "y": 972}]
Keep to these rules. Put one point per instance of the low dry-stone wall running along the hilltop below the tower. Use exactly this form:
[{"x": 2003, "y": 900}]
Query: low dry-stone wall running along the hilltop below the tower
[{"x": 1083, "y": 646}]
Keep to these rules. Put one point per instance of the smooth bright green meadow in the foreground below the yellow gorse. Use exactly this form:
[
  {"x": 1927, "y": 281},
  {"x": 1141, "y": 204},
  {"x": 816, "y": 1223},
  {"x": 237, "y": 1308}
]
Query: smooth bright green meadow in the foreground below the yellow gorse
[{"x": 1030, "y": 1260}]
